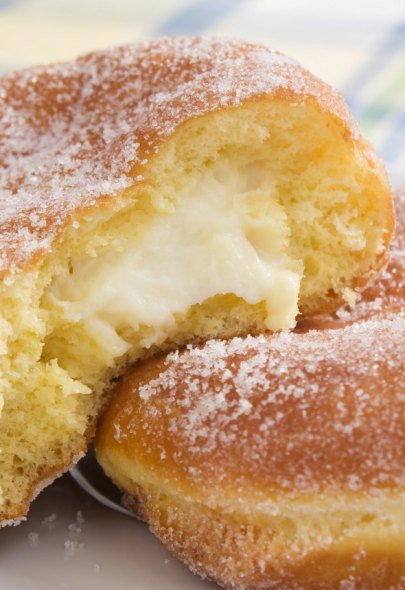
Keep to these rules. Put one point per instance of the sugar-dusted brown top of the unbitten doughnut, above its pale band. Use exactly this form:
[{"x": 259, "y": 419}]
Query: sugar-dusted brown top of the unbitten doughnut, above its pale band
[{"x": 297, "y": 411}]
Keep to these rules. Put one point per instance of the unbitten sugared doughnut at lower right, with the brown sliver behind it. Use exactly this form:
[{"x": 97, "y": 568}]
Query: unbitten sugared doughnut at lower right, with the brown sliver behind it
[{"x": 275, "y": 461}]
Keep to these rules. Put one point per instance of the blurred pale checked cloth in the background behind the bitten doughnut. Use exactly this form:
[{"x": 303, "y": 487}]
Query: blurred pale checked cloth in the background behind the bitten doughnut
[{"x": 356, "y": 45}]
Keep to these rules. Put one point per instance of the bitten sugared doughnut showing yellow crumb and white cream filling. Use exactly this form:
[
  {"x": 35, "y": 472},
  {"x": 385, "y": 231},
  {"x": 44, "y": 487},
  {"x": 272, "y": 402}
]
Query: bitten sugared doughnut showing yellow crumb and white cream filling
[{"x": 159, "y": 194}]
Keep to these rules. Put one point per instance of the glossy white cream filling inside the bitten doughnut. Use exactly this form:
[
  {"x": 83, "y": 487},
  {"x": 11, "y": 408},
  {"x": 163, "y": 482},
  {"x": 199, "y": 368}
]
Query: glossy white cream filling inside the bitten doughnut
[{"x": 216, "y": 240}]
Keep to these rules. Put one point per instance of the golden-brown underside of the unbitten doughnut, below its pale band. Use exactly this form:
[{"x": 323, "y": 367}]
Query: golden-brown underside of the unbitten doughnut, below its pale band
[{"x": 249, "y": 557}]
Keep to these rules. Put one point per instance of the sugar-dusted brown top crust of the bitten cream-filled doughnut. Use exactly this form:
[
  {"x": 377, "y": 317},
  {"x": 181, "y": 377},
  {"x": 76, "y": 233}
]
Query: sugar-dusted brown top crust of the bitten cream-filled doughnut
[{"x": 70, "y": 133}]
